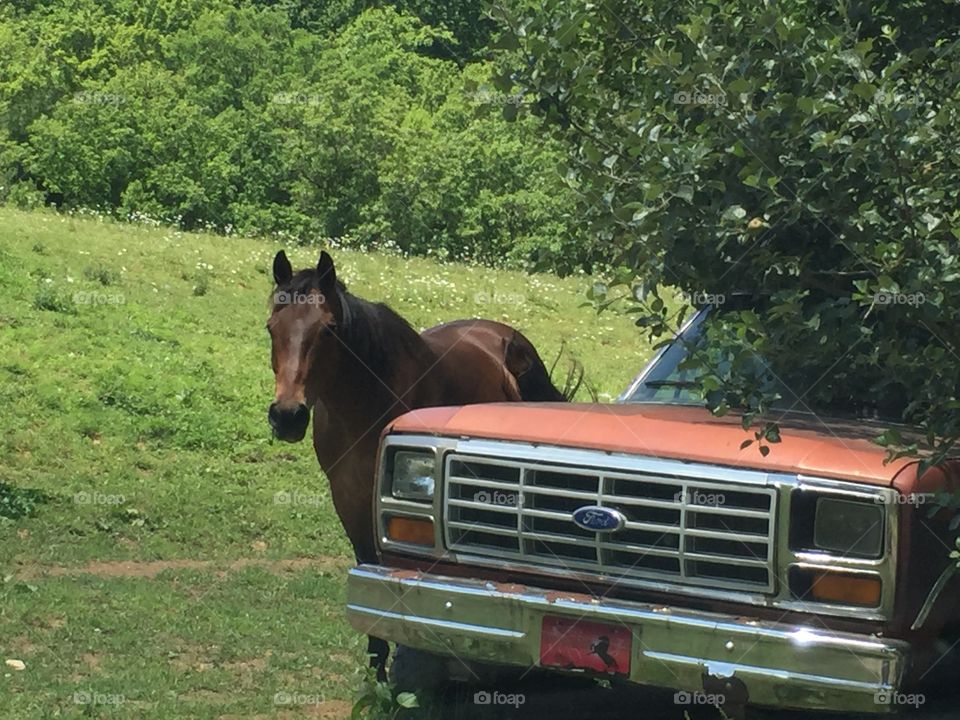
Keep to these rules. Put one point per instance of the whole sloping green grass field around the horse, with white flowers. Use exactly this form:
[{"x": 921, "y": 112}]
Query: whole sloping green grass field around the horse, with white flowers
[{"x": 134, "y": 382}]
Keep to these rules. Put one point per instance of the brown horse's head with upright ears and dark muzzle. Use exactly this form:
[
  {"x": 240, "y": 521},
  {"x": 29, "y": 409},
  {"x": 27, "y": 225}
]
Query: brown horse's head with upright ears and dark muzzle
[{"x": 305, "y": 313}]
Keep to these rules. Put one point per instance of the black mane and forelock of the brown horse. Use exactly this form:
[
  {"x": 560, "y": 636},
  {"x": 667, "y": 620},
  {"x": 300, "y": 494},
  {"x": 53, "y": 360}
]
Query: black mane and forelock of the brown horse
[{"x": 373, "y": 332}]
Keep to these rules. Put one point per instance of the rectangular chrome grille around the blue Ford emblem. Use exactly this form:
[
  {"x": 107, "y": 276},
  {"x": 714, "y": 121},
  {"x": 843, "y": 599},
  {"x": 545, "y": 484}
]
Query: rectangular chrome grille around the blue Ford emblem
[{"x": 685, "y": 530}]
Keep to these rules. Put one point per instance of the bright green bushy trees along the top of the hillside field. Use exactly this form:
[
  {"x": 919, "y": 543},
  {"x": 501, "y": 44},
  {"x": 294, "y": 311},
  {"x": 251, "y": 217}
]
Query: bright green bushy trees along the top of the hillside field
[{"x": 308, "y": 119}]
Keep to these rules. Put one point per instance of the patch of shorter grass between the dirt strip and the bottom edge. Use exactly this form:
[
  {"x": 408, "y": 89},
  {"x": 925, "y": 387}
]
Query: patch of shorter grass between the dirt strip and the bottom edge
[{"x": 182, "y": 645}]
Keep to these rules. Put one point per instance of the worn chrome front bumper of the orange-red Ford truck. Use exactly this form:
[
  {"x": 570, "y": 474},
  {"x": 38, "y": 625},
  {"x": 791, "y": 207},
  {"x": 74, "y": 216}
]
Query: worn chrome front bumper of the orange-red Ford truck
[{"x": 772, "y": 664}]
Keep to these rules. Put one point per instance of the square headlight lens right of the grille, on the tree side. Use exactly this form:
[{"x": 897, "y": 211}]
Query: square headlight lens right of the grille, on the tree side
[{"x": 849, "y": 527}]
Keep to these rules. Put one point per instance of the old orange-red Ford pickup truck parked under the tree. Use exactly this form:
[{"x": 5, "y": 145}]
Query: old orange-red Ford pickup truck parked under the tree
[{"x": 639, "y": 540}]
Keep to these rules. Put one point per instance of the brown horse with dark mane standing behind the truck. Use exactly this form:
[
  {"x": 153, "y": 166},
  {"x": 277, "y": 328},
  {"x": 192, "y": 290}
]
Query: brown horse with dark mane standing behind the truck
[{"x": 356, "y": 365}]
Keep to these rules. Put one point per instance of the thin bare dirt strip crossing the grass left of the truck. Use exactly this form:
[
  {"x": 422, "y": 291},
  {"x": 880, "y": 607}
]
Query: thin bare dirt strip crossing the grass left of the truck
[{"x": 152, "y": 568}]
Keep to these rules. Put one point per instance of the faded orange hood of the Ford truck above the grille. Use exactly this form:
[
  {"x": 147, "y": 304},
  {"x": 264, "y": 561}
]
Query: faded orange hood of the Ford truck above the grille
[{"x": 810, "y": 446}]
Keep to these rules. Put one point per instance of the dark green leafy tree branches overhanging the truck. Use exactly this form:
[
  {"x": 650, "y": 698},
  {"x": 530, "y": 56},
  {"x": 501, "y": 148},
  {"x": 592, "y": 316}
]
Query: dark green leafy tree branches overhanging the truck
[{"x": 805, "y": 154}]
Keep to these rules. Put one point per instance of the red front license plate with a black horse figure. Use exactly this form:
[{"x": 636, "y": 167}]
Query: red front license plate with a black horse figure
[{"x": 575, "y": 644}]
